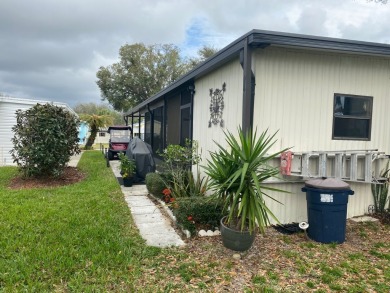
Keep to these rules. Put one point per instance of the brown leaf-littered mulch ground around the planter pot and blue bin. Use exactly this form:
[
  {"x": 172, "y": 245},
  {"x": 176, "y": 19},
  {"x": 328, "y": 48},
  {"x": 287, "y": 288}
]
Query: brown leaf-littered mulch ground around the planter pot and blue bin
[{"x": 273, "y": 255}]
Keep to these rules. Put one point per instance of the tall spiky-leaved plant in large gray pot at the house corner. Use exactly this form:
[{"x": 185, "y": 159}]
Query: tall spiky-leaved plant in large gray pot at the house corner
[{"x": 236, "y": 175}]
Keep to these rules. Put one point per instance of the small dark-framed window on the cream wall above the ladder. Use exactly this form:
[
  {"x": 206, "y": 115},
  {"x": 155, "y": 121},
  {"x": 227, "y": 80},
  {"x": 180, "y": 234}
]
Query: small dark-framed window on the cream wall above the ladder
[{"x": 352, "y": 116}]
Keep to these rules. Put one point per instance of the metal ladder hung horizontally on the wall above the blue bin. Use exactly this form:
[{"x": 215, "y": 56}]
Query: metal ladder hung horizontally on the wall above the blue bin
[{"x": 349, "y": 165}]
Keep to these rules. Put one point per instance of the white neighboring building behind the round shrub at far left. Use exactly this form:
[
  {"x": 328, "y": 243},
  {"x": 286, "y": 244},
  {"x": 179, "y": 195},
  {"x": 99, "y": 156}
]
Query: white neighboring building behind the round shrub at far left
[{"x": 8, "y": 107}]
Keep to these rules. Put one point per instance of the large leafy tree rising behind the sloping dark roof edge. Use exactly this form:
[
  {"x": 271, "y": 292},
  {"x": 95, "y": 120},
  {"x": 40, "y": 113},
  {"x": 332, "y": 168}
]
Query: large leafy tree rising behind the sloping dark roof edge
[{"x": 141, "y": 72}]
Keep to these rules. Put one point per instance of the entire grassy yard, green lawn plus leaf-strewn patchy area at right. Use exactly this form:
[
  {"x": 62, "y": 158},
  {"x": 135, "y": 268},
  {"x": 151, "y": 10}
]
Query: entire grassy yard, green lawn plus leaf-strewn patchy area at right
[{"x": 81, "y": 238}]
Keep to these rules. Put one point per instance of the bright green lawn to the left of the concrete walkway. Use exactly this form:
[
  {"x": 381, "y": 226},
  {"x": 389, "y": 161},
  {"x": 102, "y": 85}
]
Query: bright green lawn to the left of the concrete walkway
[{"x": 79, "y": 237}]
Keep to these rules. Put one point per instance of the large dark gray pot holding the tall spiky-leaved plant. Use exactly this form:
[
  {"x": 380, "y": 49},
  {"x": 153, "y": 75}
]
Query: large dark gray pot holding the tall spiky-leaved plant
[{"x": 236, "y": 240}]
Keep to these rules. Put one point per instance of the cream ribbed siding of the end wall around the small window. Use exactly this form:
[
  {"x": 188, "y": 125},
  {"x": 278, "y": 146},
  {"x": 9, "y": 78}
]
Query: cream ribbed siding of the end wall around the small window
[{"x": 294, "y": 94}]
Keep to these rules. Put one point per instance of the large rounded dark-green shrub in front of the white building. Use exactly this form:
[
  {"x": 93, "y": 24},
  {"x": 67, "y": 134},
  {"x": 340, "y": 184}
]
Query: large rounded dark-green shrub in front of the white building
[{"x": 45, "y": 137}]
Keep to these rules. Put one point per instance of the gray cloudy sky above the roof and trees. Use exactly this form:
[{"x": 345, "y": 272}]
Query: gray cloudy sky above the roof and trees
[{"x": 52, "y": 49}]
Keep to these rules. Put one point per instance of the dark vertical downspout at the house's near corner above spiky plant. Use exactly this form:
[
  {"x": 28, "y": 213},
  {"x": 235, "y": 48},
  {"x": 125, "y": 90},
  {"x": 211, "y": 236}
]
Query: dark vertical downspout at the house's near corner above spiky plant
[{"x": 248, "y": 88}]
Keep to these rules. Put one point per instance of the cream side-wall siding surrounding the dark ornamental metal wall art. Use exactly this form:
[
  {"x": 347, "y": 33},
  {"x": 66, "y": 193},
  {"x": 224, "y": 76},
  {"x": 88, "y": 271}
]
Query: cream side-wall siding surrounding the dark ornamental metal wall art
[{"x": 231, "y": 74}]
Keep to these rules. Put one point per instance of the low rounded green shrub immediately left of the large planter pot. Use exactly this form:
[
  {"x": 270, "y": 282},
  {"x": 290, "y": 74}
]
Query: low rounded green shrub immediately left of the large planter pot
[{"x": 196, "y": 212}]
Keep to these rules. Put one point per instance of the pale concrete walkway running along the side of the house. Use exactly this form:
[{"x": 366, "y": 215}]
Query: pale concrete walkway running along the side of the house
[{"x": 153, "y": 226}]
